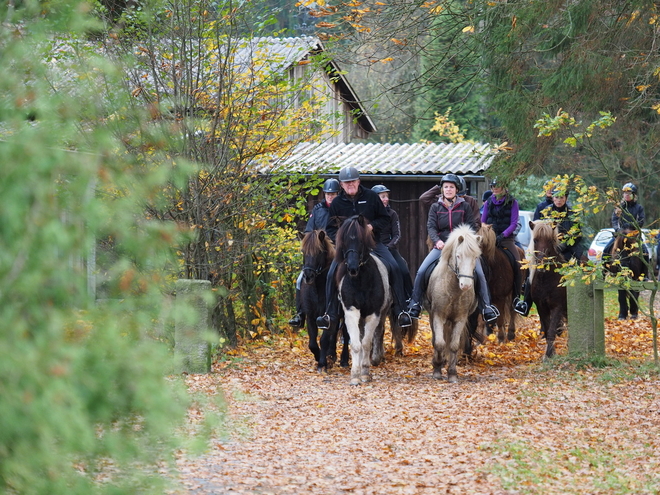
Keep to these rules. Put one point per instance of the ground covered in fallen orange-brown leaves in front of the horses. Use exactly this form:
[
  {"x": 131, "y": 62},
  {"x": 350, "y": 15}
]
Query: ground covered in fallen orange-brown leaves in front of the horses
[{"x": 511, "y": 425}]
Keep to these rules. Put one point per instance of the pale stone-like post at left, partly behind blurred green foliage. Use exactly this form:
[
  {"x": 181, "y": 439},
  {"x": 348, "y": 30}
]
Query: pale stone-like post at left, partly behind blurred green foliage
[{"x": 192, "y": 321}]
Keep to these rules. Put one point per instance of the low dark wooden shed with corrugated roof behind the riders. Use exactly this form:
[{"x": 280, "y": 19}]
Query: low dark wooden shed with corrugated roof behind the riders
[{"x": 408, "y": 170}]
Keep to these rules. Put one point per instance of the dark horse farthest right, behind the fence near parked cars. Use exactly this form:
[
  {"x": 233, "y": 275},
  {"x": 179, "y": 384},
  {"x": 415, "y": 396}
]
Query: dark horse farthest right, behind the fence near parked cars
[{"x": 625, "y": 254}]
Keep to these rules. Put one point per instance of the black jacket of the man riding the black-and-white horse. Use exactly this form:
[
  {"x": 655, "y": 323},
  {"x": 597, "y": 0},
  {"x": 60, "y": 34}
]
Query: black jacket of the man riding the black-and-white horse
[{"x": 366, "y": 203}]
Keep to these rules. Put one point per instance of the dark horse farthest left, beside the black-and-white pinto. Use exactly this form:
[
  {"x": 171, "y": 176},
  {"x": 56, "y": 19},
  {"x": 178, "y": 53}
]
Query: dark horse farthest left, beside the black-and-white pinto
[{"x": 318, "y": 253}]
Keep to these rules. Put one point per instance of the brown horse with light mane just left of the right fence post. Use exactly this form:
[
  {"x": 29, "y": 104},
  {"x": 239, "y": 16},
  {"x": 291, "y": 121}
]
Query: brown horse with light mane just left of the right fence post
[{"x": 547, "y": 293}]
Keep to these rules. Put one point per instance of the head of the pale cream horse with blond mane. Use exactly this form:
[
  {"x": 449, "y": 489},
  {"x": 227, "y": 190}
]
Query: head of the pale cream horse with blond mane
[{"x": 461, "y": 252}]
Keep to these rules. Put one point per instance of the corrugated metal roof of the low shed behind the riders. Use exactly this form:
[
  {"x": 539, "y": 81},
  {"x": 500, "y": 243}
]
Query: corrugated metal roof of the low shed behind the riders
[{"x": 418, "y": 158}]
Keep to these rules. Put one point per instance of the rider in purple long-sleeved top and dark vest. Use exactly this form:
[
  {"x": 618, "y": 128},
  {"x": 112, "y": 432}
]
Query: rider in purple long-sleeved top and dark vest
[{"x": 501, "y": 212}]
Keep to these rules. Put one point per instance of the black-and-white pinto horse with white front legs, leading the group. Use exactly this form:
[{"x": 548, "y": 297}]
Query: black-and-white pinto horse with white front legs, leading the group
[{"x": 365, "y": 295}]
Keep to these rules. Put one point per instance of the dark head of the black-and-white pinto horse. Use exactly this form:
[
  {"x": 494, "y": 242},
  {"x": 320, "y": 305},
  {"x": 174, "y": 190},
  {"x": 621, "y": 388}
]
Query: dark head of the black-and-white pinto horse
[{"x": 354, "y": 244}]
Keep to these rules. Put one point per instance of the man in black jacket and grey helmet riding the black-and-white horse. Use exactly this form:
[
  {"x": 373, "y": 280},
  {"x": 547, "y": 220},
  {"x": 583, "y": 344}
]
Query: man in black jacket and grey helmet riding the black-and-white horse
[{"x": 355, "y": 199}]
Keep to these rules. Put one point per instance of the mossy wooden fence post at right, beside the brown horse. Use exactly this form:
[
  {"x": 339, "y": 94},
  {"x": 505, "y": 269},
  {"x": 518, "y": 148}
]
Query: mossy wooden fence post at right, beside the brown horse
[{"x": 585, "y": 319}]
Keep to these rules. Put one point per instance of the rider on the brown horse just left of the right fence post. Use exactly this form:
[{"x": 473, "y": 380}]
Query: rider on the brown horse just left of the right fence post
[{"x": 570, "y": 236}]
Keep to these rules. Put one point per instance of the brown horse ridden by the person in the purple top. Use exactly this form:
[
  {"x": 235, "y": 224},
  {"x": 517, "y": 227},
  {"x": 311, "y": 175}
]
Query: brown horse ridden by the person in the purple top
[{"x": 499, "y": 273}]
